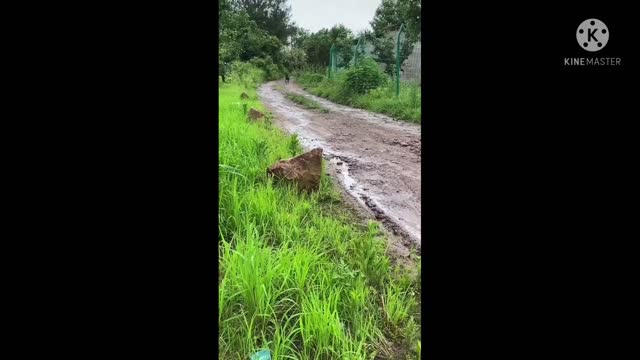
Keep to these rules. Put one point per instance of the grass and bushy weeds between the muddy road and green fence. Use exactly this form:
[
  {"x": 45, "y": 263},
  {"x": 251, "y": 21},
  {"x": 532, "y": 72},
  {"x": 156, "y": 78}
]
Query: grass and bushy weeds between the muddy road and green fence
[{"x": 406, "y": 107}]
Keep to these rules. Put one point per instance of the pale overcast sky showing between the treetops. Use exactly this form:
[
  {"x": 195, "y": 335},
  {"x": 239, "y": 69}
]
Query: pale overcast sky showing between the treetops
[{"x": 314, "y": 15}]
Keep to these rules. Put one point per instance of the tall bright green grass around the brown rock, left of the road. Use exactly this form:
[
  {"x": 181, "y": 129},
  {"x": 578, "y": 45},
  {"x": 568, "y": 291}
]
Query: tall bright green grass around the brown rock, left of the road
[{"x": 297, "y": 275}]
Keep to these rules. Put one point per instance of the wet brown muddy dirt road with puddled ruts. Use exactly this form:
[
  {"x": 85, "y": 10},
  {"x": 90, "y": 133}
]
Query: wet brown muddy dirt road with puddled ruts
[{"x": 375, "y": 158}]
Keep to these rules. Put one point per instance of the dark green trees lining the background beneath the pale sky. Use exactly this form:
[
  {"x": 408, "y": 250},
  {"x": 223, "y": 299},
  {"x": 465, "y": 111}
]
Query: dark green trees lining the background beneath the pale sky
[{"x": 262, "y": 32}]
